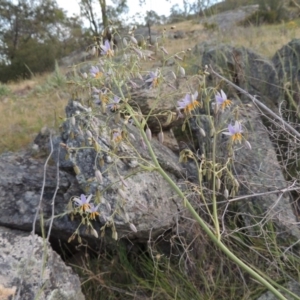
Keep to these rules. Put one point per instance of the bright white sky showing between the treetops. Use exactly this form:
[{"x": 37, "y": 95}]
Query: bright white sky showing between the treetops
[{"x": 162, "y": 7}]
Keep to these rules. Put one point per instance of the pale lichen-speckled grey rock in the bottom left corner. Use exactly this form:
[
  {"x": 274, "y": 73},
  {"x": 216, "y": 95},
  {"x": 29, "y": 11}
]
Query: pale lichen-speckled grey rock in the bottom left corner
[{"x": 34, "y": 270}]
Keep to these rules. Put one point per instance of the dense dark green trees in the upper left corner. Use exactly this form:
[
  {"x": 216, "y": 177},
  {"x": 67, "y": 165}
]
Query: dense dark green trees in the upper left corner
[{"x": 34, "y": 34}]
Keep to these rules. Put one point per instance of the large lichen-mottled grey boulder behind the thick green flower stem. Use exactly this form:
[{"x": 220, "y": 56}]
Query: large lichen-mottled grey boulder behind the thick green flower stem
[{"x": 129, "y": 193}]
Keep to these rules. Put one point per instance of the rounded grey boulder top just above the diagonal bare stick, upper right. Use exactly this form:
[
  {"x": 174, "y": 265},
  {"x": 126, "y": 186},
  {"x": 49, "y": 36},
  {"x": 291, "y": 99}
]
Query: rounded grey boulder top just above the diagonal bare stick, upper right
[{"x": 245, "y": 68}]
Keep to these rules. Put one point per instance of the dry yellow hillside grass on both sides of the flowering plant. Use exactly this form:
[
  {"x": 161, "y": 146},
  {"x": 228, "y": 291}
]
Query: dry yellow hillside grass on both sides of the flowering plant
[{"x": 27, "y": 106}]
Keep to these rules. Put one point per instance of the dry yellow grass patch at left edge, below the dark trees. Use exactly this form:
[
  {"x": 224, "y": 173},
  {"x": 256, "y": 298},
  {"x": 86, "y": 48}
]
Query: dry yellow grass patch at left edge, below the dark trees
[{"x": 26, "y": 109}]
